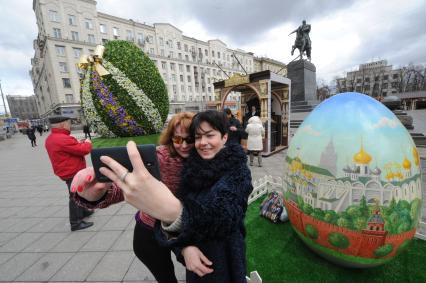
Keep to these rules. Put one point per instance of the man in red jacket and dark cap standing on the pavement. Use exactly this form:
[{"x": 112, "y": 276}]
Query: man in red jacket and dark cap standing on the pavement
[{"x": 66, "y": 154}]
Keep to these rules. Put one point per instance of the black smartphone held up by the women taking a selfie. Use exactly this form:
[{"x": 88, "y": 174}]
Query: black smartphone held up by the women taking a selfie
[{"x": 119, "y": 154}]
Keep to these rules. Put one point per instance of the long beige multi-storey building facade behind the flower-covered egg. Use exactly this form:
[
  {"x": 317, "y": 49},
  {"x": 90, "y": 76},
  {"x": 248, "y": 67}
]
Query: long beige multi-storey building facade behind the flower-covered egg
[{"x": 70, "y": 28}]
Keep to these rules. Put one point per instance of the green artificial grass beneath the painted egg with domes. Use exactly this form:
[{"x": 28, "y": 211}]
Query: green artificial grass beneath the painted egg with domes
[{"x": 279, "y": 255}]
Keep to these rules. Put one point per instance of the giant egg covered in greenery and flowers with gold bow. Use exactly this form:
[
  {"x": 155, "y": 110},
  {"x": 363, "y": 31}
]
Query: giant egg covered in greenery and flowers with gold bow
[{"x": 122, "y": 92}]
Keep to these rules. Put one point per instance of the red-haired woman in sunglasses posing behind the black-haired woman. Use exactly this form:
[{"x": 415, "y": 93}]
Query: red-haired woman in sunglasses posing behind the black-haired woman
[{"x": 175, "y": 145}]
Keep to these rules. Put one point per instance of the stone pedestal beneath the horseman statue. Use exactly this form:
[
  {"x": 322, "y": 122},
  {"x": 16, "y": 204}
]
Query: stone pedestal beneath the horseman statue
[{"x": 302, "y": 74}]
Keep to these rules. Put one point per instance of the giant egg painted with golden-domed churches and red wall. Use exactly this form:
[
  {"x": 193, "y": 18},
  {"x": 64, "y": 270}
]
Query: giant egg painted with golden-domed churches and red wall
[{"x": 352, "y": 182}]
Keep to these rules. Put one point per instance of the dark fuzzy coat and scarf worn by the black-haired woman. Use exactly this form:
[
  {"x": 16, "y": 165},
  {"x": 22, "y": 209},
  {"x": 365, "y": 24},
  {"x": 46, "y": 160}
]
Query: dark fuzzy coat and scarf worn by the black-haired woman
[{"x": 214, "y": 194}]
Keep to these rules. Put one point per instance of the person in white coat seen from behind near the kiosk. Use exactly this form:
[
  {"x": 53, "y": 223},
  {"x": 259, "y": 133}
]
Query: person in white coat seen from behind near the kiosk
[{"x": 256, "y": 134}]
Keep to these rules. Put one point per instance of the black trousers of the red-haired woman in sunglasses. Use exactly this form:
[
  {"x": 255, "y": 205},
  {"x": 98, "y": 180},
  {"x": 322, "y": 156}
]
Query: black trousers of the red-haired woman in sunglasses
[{"x": 155, "y": 257}]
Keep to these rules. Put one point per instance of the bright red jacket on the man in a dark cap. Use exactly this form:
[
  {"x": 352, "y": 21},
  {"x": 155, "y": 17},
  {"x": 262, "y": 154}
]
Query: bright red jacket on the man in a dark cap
[{"x": 66, "y": 153}]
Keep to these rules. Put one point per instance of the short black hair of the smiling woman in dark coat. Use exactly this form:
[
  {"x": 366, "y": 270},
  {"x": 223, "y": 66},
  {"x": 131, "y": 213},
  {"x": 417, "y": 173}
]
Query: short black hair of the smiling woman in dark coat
[{"x": 217, "y": 120}]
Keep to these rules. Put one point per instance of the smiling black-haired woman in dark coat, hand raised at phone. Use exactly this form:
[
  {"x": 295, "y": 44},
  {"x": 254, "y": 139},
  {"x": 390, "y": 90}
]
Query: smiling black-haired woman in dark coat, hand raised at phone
[{"x": 204, "y": 224}]
